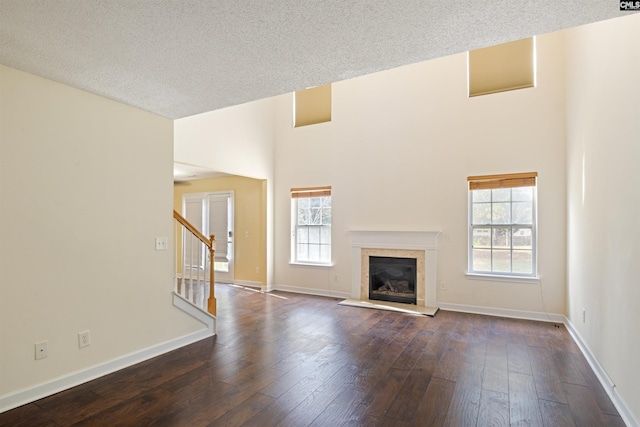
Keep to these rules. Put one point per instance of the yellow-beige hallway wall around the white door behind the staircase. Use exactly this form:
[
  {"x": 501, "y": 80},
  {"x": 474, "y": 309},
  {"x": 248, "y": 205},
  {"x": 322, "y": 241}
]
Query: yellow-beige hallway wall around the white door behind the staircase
[{"x": 249, "y": 221}]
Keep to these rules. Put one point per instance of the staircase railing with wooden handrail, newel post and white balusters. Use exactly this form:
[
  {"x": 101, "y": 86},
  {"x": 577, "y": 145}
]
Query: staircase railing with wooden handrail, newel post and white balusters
[{"x": 196, "y": 255}]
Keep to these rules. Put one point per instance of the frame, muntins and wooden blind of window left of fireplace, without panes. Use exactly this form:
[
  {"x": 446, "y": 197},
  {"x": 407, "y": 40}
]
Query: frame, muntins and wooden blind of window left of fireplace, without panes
[{"x": 309, "y": 193}]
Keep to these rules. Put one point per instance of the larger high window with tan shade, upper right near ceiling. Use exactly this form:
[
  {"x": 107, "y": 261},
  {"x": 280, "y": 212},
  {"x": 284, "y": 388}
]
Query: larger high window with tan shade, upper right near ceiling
[{"x": 503, "y": 67}]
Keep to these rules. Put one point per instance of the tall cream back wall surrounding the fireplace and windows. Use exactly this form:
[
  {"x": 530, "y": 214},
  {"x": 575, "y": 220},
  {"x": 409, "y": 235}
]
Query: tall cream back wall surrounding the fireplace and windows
[{"x": 398, "y": 152}]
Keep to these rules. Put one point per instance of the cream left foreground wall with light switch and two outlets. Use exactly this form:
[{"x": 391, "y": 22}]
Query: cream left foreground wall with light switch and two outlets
[{"x": 85, "y": 185}]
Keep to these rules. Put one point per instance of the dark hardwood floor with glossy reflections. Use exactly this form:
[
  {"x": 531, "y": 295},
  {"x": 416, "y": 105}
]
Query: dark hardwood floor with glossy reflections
[{"x": 294, "y": 360}]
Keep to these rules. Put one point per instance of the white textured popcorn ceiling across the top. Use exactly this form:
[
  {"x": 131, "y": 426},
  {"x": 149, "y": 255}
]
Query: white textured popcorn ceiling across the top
[{"x": 179, "y": 58}]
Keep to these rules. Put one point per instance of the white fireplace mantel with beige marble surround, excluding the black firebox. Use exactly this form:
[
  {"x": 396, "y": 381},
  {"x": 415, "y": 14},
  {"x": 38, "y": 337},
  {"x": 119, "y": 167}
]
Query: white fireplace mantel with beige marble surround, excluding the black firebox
[{"x": 422, "y": 245}]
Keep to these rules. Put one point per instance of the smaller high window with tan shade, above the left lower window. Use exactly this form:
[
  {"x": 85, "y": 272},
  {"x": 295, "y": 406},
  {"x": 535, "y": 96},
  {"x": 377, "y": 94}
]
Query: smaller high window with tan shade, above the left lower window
[{"x": 312, "y": 106}]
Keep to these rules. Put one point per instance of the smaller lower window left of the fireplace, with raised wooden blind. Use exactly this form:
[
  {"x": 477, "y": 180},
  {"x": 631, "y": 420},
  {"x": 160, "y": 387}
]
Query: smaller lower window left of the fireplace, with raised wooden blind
[{"x": 311, "y": 225}]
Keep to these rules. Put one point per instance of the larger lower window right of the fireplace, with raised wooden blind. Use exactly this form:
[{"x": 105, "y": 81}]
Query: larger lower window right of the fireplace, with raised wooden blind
[{"x": 502, "y": 224}]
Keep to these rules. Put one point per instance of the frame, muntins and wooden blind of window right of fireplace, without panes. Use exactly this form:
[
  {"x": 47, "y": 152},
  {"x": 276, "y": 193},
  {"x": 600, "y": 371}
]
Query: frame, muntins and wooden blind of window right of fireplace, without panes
[{"x": 505, "y": 181}]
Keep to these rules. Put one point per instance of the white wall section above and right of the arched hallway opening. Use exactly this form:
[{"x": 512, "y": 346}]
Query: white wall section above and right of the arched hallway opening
[{"x": 236, "y": 140}]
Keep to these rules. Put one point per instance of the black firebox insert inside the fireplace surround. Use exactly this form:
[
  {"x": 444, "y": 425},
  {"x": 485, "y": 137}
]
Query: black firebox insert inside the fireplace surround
[{"x": 392, "y": 279}]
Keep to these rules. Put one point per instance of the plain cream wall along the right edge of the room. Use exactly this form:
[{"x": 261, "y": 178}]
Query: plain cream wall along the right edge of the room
[{"x": 603, "y": 134}]
